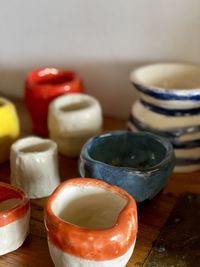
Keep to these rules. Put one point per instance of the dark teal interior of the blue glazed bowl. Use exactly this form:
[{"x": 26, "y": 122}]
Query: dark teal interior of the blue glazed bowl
[{"x": 139, "y": 151}]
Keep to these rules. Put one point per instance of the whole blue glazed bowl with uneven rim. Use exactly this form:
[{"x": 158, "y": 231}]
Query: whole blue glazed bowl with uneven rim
[{"x": 140, "y": 163}]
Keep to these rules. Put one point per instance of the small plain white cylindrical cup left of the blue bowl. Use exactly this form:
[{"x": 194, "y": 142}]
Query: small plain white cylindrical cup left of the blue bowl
[{"x": 34, "y": 166}]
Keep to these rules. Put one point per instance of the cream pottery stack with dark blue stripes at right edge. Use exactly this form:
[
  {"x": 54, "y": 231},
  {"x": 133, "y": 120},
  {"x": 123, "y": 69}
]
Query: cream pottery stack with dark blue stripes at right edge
[{"x": 169, "y": 105}]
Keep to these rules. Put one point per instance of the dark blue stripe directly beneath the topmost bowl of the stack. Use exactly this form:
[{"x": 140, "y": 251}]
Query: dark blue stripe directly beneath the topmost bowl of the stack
[{"x": 171, "y": 112}]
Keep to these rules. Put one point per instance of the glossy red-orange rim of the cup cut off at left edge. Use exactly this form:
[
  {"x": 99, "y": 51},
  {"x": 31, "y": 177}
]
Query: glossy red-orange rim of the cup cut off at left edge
[{"x": 19, "y": 210}]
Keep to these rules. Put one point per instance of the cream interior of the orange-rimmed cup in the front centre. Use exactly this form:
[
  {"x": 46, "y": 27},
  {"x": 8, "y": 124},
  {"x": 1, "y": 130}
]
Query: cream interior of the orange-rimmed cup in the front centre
[{"x": 89, "y": 206}]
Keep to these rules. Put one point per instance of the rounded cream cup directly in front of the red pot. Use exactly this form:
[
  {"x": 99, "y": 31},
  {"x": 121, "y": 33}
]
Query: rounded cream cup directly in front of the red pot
[{"x": 72, "y": 120}]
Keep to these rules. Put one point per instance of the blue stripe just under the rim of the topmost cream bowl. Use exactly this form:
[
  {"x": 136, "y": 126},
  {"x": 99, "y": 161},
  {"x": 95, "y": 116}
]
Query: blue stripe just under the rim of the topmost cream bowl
[{"x": 170, "y": 94}]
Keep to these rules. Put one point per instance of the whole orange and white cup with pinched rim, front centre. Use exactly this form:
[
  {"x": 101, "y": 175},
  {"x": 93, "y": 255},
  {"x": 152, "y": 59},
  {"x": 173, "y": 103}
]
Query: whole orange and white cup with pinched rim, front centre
[{"x": 90, "y": 224}]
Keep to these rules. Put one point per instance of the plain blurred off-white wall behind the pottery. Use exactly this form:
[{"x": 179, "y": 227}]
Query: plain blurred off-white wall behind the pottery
[{"x": 103, "y": 40}]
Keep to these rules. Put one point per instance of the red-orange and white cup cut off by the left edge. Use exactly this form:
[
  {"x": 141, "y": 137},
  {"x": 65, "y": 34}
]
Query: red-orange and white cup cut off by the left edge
[{"x": 14, "y": 218}]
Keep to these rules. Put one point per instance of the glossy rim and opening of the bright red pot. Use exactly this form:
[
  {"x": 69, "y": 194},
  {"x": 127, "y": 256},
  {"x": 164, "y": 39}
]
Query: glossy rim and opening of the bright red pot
[{"x": 46, "y": 77}]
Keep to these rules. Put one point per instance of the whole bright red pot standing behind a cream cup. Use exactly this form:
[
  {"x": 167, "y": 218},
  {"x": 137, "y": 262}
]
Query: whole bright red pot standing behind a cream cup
[{"x": 42, "y": 86}]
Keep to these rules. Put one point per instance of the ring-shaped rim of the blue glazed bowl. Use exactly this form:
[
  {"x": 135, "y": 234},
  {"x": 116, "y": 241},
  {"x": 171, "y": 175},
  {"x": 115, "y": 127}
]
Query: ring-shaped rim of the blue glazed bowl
[{"x": 164, "y": 142}]
